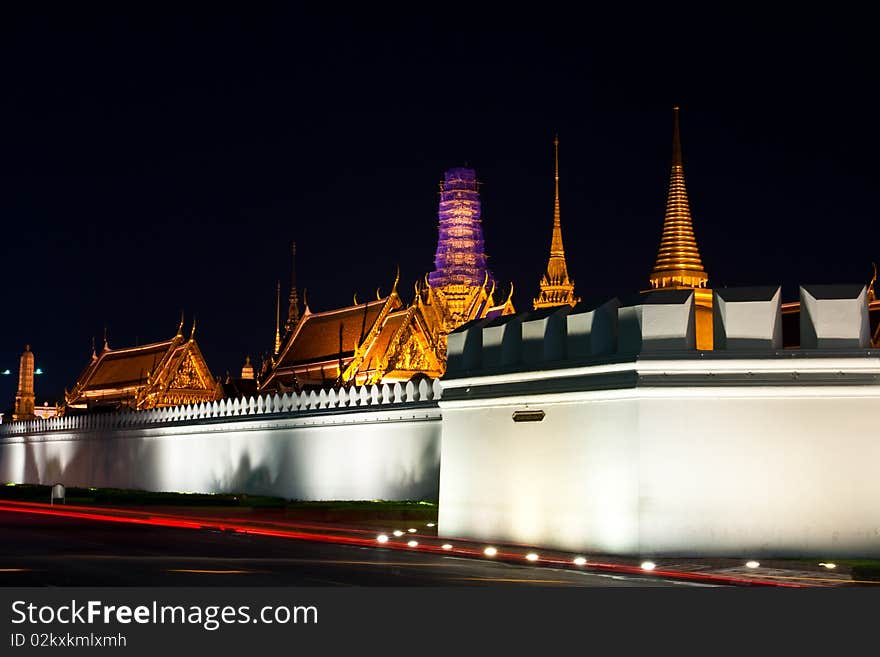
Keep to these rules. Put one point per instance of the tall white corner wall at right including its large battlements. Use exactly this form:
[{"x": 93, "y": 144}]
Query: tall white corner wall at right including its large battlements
[{"x": 648, "y": 446}]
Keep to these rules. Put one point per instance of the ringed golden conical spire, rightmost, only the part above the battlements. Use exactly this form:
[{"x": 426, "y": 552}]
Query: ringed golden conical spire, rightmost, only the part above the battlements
[{"x": 678, "y": 260}]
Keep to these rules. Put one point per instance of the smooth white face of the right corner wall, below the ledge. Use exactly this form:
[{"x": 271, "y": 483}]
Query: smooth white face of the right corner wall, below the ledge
[{"x": 751, "y": 471}]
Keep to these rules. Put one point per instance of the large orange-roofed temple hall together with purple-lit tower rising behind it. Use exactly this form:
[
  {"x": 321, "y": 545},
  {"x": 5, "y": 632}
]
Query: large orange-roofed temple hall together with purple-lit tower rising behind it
[{"x": 386, "y": 339}]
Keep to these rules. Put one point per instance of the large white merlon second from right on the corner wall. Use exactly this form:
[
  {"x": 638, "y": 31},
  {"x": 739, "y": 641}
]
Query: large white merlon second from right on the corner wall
[{"x": 747, "y": 318}]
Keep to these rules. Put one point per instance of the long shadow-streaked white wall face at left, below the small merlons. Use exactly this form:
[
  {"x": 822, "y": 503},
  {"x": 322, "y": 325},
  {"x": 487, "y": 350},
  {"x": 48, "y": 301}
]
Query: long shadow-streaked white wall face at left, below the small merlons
[{"x": 389, "y": 454}]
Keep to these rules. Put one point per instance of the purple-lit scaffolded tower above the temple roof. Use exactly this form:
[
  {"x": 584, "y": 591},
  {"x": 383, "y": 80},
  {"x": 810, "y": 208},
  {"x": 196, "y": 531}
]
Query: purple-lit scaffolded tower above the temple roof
[{"x": 460, "y": 258}]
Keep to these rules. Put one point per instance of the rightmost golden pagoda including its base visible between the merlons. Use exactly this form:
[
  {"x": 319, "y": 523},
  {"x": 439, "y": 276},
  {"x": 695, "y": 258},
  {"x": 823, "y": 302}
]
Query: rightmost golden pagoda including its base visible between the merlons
[{"x": 678, "y": 264}]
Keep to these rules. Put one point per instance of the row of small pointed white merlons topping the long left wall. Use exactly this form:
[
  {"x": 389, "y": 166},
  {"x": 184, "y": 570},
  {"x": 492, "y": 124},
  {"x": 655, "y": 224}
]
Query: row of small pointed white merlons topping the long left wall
[{"x": 323, "y": 400}]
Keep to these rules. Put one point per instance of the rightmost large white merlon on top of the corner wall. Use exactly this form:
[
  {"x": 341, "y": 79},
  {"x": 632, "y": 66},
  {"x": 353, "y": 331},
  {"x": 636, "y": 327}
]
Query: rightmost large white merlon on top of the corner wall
[{"x": 834, "y": 317}]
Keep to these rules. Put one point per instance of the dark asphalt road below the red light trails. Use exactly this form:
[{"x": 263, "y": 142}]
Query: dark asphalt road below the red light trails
[{"x": 57, "y": 551}]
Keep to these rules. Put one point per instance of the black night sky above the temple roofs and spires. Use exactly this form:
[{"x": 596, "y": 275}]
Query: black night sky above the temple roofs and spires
[{"x": 156, "y": 162}]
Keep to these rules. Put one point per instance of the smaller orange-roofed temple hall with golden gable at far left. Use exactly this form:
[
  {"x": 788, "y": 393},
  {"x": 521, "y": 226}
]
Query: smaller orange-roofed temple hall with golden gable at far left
[{"x": 156, "y": 375}]
